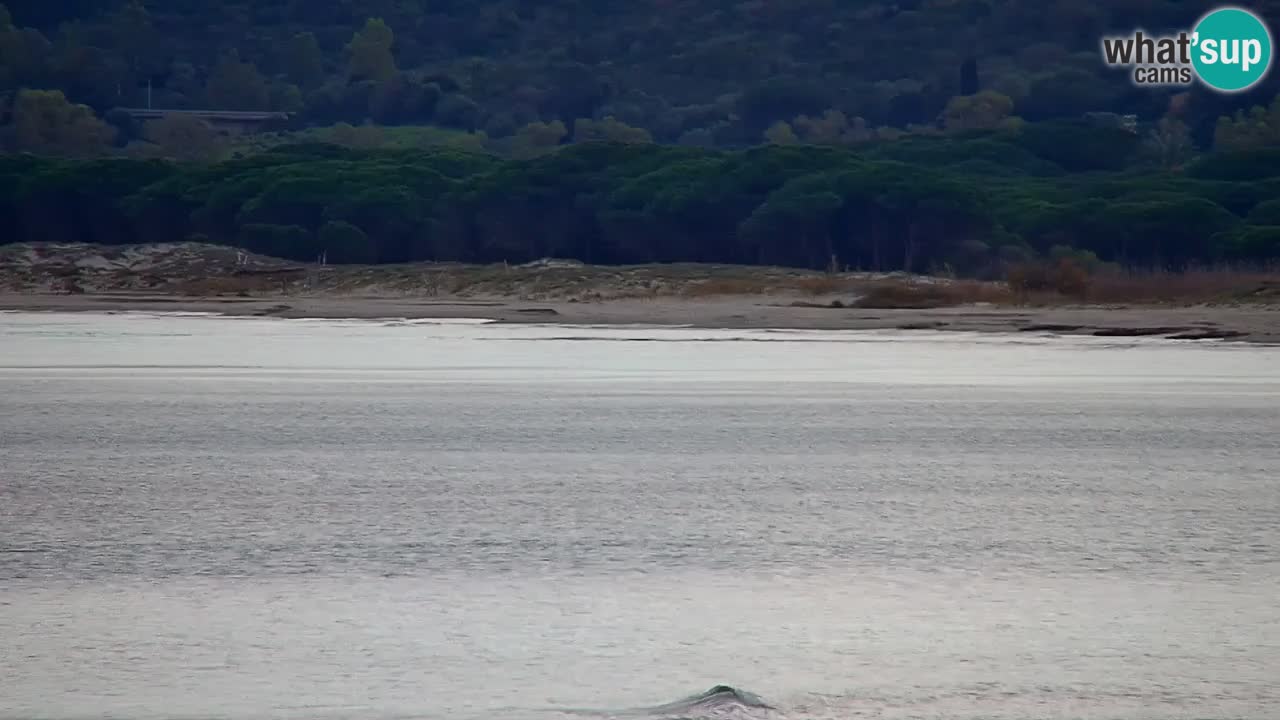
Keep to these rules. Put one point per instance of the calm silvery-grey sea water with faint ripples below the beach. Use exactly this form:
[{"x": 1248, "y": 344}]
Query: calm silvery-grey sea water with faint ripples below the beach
[{"x": 257, "y": 520}]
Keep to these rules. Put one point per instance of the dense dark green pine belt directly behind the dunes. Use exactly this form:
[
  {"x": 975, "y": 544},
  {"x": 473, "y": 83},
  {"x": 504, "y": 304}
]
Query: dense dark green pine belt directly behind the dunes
[{"x": 968, "y": 204}]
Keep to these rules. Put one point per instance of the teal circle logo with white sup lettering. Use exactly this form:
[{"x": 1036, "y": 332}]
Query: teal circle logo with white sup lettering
[{"x": 1232, "y": 49}]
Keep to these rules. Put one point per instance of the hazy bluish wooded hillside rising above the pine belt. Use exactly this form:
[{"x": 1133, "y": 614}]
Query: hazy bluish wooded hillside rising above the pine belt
[{"x": 710, "y": 74}]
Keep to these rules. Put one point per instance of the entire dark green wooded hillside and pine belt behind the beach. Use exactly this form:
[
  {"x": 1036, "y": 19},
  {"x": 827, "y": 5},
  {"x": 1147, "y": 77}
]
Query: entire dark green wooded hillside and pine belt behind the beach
[{"x": 920, "y": 135}]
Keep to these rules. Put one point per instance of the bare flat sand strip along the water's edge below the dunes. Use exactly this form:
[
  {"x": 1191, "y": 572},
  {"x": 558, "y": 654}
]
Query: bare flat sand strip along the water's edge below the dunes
[{"x": 1244, "y": 323}]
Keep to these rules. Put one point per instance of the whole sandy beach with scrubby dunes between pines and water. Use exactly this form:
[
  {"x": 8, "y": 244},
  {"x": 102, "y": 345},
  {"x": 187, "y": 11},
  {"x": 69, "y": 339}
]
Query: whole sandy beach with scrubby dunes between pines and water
[{"x": 208, "y": 279}]
